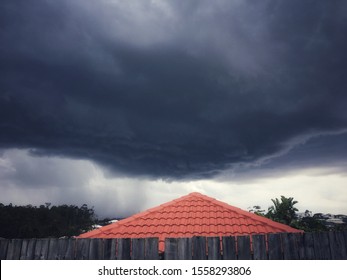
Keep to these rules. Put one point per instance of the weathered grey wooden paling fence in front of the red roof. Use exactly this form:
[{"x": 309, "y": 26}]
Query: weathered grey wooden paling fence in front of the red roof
[{"x": 285, "y": 246}]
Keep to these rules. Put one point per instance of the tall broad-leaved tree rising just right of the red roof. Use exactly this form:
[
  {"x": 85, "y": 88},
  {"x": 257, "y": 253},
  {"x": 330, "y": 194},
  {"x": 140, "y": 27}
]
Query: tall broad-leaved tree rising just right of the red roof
[{"x": 283, "y": 210}]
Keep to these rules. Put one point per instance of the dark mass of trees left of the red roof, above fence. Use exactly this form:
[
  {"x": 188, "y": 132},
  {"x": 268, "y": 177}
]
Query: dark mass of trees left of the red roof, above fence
[{"x": 40, "y": 222}]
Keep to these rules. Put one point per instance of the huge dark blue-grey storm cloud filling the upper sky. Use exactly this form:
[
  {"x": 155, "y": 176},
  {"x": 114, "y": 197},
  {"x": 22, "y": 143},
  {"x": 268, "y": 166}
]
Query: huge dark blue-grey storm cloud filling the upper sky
[{"x": 168, "y": 90}]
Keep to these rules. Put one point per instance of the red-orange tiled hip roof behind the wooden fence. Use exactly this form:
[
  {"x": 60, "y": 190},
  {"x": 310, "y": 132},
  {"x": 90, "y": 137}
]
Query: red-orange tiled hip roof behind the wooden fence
[{"x": 191, "y": 215}]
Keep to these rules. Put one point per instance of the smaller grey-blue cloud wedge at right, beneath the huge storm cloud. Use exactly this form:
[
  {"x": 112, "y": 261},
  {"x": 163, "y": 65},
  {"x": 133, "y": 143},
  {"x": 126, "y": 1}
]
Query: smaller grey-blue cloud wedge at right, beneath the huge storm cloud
[{"x": 321, "y": 154}]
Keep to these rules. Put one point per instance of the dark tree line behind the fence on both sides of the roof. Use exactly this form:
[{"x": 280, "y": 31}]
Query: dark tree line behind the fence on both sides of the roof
[{"x": 70, "y": 220}]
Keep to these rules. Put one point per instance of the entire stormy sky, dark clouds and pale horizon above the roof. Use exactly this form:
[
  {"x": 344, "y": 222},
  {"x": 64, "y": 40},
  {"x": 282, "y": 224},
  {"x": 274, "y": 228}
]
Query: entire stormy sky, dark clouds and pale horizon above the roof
[{"x": 127, "y": 104}]
